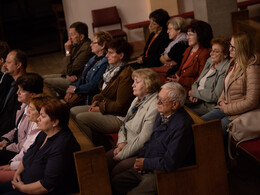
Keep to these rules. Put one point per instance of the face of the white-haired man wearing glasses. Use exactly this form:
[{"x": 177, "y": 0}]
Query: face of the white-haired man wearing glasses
[{"x": 165, "y": 105}]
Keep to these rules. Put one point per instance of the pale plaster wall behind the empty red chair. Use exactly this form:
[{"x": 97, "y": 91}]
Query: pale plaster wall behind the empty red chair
[{"x": 130, "y": 11}]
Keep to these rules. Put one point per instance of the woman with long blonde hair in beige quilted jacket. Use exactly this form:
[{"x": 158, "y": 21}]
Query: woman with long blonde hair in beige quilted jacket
[{"x": 242, "y": 87}]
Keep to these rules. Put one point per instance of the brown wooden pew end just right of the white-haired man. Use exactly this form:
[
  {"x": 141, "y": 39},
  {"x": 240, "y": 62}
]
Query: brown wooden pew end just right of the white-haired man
[{"x": 209, "y": 174}]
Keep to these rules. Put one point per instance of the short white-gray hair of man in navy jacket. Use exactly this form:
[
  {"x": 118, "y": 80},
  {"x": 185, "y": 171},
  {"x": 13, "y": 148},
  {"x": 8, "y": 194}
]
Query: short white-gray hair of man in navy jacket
[{"x": 177, "y": 92}]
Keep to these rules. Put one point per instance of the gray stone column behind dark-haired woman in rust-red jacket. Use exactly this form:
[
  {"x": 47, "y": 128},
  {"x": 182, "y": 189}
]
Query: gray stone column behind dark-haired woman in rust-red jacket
[{"x": 216, "y": 13}]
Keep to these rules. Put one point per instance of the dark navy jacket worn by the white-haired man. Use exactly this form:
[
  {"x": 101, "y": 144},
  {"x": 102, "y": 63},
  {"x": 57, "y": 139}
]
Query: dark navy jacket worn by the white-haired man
[{"x": 171, "y": 144}]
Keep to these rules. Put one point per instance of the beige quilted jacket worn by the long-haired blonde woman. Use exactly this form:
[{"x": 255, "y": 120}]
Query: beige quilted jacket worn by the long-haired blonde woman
[{"x": 243, "y": 96}]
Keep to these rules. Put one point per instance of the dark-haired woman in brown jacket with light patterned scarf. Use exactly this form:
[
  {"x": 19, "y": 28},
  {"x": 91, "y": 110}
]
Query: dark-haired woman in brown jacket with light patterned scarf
[{"x": 108, "y": 108}]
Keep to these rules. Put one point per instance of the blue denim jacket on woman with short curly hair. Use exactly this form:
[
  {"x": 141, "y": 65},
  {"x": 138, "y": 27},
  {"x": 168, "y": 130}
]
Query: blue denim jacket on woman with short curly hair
[{"x": 89, "y": 84}]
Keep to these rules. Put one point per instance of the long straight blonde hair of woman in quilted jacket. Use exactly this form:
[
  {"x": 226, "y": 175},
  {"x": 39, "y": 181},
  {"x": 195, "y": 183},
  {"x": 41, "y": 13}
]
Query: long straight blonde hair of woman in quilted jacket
[{"x": 244, "y": 50}]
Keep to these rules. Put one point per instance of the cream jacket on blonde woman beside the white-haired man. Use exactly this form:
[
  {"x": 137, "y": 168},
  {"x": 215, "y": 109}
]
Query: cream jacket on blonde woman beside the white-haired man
[{"x": 139, "y": 129}]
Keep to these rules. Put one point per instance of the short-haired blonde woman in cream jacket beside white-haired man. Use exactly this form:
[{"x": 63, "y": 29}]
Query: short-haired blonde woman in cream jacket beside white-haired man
[{"x": 138, "y": 124}]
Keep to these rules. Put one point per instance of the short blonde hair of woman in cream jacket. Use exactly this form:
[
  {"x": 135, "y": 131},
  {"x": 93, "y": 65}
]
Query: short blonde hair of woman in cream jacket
[{"x": 151, "y": 79}]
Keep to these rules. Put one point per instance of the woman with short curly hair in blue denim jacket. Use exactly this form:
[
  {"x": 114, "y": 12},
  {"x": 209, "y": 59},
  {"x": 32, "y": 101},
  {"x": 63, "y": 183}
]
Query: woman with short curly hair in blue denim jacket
[{"x": 87, "y": 85}]
